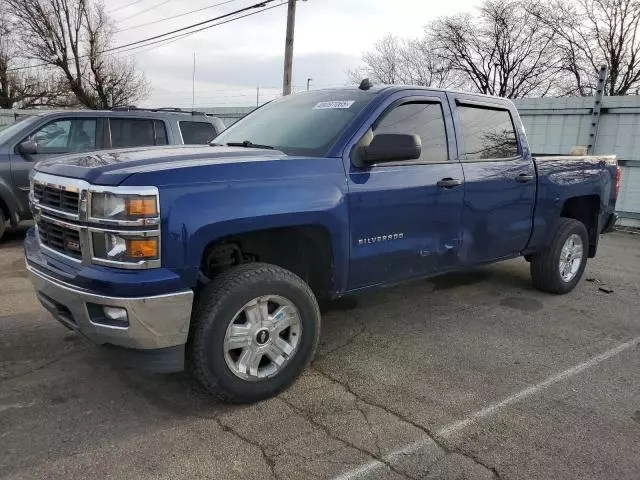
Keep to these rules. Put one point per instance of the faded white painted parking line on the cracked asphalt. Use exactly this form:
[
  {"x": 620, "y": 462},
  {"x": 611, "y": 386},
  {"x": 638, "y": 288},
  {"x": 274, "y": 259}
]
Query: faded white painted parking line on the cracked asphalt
[{"x": 369, "y": 467}]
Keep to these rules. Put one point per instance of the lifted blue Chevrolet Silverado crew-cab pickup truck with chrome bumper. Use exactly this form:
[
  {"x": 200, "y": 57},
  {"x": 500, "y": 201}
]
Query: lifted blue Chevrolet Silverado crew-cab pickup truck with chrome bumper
[{"x": 214, "y": 258}]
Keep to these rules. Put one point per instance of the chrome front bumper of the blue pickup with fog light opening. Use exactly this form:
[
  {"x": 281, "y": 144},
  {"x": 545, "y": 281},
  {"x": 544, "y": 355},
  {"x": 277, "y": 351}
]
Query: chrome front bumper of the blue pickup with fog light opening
[{"x": 154, "y": 322}]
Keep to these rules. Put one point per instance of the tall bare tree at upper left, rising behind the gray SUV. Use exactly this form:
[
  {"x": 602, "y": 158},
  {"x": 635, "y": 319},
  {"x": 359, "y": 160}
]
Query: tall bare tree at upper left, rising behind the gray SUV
[{"x": 71, "y": 37}]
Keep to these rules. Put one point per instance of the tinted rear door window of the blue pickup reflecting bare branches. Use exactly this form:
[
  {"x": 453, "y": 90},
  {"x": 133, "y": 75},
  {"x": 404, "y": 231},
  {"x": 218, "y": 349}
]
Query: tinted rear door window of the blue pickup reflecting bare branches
[{"x": 486, "y": 133}]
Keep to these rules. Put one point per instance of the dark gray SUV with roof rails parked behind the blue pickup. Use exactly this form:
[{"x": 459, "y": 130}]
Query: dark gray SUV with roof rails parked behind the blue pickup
[{"x": 49, "y": 134}]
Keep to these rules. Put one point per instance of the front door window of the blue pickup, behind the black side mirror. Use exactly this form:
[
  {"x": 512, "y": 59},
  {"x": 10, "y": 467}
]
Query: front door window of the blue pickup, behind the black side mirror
[{"x": 424, "y": 119}]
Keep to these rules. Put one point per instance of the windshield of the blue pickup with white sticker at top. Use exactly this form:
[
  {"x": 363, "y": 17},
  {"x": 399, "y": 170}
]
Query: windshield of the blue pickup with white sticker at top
[{"x": 301, "y": 124}]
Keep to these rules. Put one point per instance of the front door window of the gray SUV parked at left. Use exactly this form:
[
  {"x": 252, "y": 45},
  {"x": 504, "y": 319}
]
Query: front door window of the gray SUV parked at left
[{"x": 66, "y": 136}]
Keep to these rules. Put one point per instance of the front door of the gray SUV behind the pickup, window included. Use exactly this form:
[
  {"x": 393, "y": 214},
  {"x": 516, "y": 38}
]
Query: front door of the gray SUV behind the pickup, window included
[{"x": 57, "y": 137}]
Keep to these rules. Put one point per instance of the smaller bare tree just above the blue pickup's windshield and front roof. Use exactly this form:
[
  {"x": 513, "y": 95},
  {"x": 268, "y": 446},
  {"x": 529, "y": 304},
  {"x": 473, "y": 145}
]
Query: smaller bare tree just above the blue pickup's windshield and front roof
[{"x": 404, "y": 61}]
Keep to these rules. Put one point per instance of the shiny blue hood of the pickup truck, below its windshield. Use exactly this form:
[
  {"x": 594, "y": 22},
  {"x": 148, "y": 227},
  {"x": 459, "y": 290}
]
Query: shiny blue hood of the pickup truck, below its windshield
[{"x": 112, "y": 167}]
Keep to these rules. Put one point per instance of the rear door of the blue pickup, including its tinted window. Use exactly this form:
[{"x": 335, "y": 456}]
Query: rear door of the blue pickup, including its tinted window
[{"x": 500, "y": 179}]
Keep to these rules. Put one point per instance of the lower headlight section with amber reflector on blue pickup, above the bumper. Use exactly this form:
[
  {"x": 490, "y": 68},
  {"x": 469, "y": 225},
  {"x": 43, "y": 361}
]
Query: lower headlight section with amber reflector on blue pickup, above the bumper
[{"x": 116, "y": 247}]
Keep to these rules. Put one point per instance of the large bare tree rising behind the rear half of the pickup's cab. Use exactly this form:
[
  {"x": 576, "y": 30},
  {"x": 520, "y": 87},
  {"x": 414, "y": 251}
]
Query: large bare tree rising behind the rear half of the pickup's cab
[{"x": 506, "y": 50}]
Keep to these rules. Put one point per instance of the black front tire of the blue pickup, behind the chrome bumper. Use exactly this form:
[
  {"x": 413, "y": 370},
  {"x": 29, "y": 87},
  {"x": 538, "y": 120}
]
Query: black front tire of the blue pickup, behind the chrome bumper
[{"x": 216, "y": 307}]
